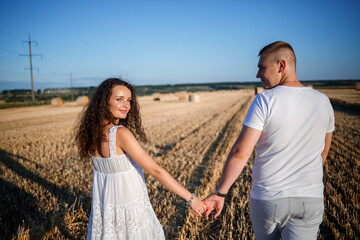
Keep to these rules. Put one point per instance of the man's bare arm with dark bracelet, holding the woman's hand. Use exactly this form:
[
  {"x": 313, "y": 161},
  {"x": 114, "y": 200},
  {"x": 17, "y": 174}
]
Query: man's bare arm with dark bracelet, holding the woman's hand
[{"x": 235, "y": 162}]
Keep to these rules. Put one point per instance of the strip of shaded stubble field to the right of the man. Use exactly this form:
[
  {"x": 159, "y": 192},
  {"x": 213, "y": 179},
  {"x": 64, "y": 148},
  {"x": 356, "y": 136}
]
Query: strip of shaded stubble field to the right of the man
[{"x": 342, "y": 178}]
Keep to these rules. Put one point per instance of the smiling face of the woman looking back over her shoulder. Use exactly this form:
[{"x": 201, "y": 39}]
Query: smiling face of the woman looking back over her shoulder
[{"x": 119, "y": 102}]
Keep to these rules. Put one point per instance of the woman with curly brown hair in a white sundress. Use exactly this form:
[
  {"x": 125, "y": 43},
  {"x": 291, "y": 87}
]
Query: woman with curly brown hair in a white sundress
[{"x": 108, "y": 130}]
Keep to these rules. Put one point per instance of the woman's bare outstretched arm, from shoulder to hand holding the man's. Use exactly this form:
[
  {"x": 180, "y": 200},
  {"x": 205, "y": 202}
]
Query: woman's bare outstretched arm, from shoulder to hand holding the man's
[{"x": 128, "y": 143}]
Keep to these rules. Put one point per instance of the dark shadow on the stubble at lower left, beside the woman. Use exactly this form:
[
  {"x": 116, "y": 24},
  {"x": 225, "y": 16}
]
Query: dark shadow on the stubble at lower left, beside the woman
[{"x": 19, "y": 208}]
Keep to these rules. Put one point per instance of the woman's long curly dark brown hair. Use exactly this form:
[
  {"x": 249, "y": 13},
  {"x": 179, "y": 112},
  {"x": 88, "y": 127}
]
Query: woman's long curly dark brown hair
[{"x": 96, "y": 116}]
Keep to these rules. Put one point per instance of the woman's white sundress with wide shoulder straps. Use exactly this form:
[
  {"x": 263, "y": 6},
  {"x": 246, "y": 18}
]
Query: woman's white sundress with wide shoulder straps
[{"x": 120, "y": 207}]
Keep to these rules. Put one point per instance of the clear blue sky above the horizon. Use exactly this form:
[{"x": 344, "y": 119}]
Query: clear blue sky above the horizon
[{"x": 170, "y": 42}]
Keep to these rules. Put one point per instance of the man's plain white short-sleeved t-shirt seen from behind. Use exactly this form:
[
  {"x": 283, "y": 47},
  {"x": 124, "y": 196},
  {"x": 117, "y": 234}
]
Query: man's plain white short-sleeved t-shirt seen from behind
[{"x": 294, "y": 122}]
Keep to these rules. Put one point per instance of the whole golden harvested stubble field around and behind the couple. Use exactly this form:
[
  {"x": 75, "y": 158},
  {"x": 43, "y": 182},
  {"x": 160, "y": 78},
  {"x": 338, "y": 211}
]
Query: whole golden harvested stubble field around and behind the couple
[{"x": 46, "y": 194}]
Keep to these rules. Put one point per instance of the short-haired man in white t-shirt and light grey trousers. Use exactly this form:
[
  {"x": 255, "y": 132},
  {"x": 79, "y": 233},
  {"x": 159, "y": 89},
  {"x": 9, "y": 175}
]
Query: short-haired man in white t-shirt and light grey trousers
[{"x": 292, "y": 126}]
